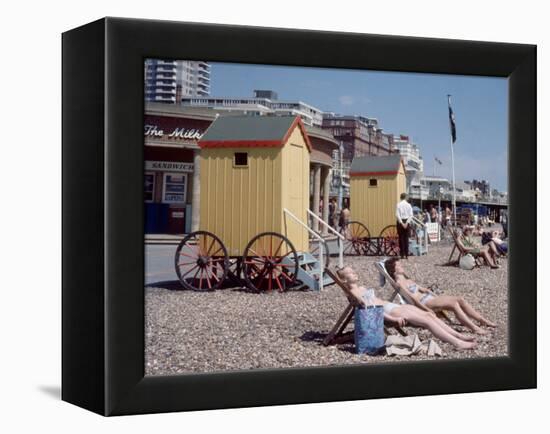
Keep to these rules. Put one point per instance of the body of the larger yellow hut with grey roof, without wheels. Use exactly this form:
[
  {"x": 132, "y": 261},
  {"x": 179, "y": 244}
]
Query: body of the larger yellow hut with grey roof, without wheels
[{"x": 251, "y": 168}]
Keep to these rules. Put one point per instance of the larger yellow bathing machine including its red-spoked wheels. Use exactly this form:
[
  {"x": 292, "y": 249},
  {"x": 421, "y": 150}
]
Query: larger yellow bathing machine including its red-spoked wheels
[{"x": 254, "y": 172}]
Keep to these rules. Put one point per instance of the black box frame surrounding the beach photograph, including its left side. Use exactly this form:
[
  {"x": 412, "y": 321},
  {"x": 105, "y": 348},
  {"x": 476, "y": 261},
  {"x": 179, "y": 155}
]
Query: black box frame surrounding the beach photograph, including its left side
[{"x": 103, "y": 256}]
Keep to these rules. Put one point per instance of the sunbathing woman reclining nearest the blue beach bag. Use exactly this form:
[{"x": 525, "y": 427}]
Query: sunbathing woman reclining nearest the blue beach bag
[{"x": 403, "y": 314}]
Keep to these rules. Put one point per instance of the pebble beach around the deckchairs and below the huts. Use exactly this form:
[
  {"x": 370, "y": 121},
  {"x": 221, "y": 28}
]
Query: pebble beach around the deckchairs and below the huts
[{"x": 231, "y": 329}]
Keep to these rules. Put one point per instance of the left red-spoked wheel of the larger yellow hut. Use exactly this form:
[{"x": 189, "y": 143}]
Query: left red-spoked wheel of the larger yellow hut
[{"x": 201, "y": 261}]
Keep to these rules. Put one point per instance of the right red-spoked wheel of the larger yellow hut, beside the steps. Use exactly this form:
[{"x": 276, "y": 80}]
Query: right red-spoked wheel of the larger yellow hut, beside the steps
[{"x": 269, "y": 262}]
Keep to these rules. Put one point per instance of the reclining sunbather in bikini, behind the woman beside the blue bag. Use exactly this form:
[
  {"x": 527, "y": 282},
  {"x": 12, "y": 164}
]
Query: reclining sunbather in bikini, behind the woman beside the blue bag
[{"x": 463, "y": 311}]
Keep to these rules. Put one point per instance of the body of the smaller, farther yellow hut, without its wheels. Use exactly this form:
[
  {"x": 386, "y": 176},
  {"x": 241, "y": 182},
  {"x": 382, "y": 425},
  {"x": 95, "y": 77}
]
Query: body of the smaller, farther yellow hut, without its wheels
[{"x": 375, "y": 187}]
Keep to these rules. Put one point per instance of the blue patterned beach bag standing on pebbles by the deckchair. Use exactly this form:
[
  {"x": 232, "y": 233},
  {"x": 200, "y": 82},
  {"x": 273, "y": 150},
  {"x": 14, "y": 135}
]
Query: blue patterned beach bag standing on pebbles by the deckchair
[{"x": 369, "y": 329}]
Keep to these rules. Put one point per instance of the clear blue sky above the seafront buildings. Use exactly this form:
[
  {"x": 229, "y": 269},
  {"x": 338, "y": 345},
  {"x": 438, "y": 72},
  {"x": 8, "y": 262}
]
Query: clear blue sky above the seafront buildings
[{"x": 404, "y": 103}]
